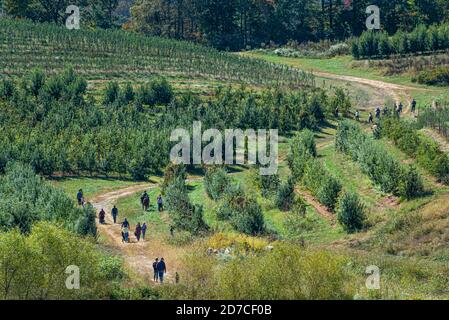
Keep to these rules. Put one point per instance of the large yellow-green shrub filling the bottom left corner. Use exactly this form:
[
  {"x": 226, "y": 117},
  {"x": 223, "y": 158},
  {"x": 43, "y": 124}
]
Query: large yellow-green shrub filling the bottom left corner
[{"x": 36, "y": 265}]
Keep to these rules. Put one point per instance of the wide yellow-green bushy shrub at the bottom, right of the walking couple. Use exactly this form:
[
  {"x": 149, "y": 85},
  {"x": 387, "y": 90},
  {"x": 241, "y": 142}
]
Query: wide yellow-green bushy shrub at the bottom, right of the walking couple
[{"x": 313, "y": 274}]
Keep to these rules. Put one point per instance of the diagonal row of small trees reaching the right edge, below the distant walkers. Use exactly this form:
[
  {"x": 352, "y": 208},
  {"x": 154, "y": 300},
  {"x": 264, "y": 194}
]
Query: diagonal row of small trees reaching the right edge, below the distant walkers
[{"x": 424, "y": 150}]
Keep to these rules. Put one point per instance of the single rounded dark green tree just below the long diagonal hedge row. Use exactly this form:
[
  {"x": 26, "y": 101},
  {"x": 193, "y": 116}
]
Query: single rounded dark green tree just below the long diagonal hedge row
[{"x": 350, "y": 212}]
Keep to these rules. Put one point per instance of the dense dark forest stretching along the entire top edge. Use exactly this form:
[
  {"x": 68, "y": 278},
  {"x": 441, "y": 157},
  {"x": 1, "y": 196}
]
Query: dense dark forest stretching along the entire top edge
[{"x": 239, "y": 24}]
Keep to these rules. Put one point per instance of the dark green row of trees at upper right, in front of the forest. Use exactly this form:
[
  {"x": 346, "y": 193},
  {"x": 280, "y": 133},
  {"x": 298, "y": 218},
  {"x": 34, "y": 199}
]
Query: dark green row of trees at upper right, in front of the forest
[{"x": 422, "y": 39}]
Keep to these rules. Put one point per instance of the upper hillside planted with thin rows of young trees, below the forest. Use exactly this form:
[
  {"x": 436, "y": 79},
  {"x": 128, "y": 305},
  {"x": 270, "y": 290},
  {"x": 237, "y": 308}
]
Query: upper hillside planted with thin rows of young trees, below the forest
[{"x": 121, "y": 55}]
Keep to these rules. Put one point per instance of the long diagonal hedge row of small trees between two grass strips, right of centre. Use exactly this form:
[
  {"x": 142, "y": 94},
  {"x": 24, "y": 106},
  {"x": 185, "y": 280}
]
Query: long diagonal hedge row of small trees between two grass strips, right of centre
[{"x": 376, "y": 162}]
